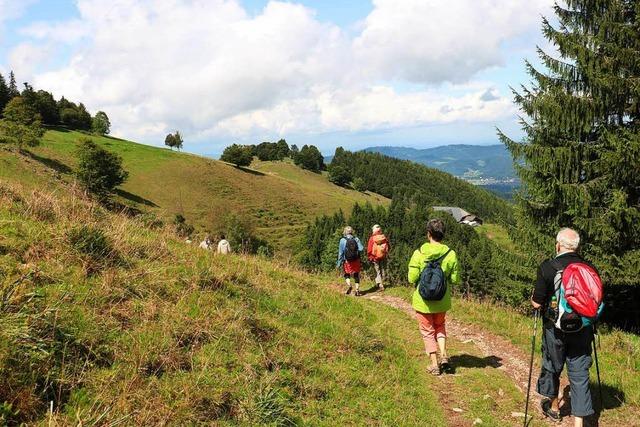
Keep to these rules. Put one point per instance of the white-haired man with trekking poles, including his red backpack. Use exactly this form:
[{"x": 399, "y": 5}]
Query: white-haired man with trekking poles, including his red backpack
[{"x": 559, "y": 345}]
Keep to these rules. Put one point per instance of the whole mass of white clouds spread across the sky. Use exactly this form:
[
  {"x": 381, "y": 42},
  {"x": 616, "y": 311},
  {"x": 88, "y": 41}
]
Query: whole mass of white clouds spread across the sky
[{"x": 208, "y": 68}]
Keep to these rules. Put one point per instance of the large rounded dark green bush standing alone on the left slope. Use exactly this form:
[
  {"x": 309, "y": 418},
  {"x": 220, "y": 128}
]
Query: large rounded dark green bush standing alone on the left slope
[{"x": 99, "y": 171}]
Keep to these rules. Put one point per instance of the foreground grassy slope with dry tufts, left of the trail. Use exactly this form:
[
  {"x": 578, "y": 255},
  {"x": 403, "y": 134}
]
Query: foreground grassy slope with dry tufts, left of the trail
[{"x": 117, "y": 323}]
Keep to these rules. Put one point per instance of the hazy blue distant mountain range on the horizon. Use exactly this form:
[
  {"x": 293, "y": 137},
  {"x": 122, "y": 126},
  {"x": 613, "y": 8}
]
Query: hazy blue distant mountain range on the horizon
[{"x": 479, "y": 164}]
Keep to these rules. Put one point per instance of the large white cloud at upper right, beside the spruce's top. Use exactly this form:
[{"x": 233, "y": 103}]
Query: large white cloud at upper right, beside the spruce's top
[{"x": 436, "y": 41}]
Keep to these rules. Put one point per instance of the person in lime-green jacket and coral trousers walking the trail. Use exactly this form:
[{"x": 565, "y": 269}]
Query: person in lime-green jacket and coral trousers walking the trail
[{"x": 431, "y": 313}]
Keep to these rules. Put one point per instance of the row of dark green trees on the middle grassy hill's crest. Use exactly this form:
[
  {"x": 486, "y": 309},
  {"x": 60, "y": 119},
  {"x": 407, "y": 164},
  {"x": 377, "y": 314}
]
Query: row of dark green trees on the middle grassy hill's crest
[{"x": 308, "y": 157}]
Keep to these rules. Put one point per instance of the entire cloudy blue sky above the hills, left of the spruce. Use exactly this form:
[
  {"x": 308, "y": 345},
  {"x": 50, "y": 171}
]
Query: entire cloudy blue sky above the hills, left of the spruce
[{"x": 414, "y": 73}]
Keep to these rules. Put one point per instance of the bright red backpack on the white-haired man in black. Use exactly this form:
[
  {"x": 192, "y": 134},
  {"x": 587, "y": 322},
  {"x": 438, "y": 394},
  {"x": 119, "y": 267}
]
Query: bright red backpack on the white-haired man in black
[{"x": 582, "y": 289}]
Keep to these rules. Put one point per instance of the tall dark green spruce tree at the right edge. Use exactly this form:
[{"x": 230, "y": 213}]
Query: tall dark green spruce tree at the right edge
[{"x": 579, "y": 161}]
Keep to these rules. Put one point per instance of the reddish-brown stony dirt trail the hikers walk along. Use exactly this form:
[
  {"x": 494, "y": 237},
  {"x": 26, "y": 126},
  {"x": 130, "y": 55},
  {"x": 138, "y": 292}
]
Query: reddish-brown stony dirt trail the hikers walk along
[{"x": 514, "y": 362}]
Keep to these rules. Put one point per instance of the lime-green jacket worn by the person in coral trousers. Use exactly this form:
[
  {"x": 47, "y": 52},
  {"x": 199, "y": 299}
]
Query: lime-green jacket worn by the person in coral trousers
[{"x": 429, "y": 252}]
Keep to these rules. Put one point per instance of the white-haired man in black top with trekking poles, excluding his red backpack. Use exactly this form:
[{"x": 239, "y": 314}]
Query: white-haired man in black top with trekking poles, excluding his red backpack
[{"x": 559, "y": 347}]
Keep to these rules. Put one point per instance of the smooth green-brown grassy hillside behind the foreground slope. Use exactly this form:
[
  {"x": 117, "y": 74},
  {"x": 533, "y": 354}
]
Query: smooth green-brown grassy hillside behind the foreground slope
[{"x": 277, "y": 197}]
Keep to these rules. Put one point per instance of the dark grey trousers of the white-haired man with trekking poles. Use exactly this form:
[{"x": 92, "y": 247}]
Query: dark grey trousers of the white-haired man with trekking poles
[{"x": 574, "y": 349}]
